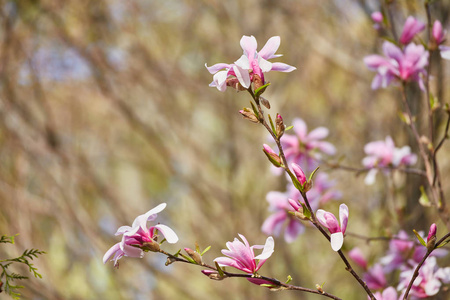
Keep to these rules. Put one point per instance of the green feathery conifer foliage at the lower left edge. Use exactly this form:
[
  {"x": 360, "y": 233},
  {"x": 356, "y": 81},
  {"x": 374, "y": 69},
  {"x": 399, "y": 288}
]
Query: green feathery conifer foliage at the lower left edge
[{"x": 7, "y": 277}]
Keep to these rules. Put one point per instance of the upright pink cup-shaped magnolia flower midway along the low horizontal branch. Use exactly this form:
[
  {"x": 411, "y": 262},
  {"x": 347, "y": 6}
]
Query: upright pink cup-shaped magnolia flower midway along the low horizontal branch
[{"x": 242, "y": 257}]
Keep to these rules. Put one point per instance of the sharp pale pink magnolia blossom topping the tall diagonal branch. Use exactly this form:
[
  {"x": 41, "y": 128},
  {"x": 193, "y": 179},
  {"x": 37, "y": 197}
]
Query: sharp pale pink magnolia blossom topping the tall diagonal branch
[{"x": 250, "y": 64}]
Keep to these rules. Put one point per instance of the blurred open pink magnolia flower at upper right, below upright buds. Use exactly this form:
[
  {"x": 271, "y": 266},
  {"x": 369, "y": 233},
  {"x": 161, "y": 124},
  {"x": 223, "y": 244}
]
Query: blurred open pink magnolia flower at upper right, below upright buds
[{"x": 406, "y": 65}]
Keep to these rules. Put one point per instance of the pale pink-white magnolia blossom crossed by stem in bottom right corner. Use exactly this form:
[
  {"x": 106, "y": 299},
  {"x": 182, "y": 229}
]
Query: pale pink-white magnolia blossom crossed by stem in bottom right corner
[{"x": 427, "y": 283}]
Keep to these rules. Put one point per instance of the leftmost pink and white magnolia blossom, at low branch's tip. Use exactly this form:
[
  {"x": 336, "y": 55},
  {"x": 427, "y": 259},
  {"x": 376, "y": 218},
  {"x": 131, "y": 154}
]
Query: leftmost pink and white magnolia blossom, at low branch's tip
[{"x": 138, "y": 236}]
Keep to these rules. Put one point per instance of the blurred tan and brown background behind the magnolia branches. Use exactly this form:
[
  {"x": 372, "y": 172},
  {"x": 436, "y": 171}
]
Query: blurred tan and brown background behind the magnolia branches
[{"x": 105, "y": 112}]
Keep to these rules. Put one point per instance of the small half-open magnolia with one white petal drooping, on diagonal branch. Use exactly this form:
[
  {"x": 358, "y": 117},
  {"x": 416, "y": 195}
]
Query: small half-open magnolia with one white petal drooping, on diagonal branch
[{"x": 337, "y": 231}]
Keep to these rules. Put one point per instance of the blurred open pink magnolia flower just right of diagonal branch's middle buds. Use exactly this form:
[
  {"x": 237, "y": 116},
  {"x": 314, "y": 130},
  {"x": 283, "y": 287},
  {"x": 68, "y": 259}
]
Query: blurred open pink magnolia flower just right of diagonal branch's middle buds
[{"x": 305, "y": 148}]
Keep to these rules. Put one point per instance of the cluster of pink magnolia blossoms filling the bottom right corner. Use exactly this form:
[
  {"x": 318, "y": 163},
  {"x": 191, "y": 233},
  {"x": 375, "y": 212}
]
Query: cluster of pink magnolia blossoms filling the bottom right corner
[{"x": 404, "y": 255}]
